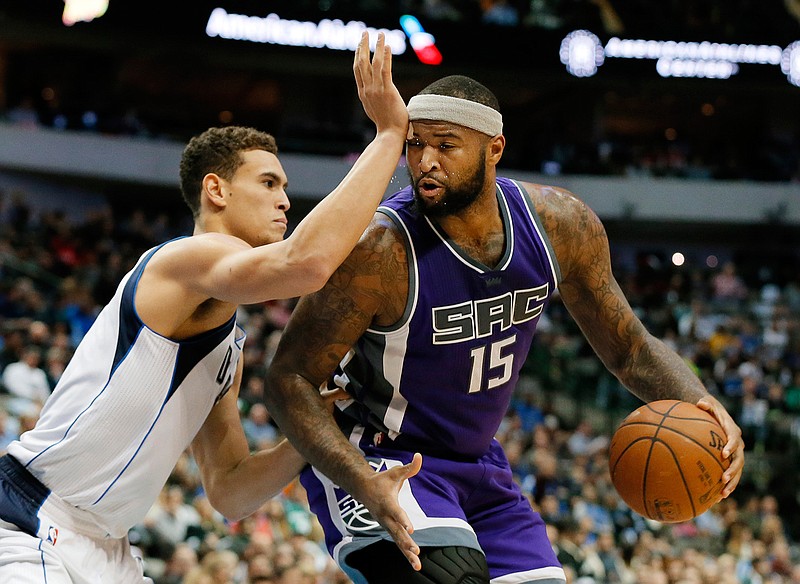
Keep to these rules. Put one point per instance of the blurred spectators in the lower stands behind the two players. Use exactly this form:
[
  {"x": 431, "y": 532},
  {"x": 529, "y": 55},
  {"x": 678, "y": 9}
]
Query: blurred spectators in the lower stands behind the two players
[{"x": 742, "y": 338}]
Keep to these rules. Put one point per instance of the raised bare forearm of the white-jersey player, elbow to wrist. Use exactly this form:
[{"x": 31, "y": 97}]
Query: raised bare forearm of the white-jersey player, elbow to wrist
[{"x": 333, "y": 227}]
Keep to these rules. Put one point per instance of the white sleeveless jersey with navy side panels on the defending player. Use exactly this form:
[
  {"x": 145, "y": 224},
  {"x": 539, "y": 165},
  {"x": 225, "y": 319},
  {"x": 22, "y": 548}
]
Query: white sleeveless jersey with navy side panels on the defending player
[{"x": 128, "y": 404}]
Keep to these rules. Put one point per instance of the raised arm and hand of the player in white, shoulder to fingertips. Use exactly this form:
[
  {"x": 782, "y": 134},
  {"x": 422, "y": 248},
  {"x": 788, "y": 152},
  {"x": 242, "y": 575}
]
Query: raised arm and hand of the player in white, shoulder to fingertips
[{"x": 225, "y": 268}]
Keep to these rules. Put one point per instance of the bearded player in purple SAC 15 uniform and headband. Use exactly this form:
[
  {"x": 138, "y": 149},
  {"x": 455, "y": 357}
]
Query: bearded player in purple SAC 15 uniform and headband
[{"x": 426, "y": 325}]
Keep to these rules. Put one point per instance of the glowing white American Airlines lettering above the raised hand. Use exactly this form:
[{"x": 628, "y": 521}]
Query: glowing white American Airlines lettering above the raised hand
[{"x": 272, "y": 29}]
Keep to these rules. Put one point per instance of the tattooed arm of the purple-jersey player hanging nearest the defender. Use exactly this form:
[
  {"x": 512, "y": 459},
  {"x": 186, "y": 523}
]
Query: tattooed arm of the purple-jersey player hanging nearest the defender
[{"x": 369, "y": 287}]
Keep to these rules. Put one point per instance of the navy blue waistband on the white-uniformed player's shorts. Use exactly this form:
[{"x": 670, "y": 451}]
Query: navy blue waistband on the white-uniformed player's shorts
[{"x": 21, "y": 495}]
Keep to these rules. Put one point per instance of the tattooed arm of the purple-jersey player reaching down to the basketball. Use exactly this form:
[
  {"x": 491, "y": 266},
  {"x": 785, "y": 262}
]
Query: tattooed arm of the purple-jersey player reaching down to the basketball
[{"x": 643, "y": 363}]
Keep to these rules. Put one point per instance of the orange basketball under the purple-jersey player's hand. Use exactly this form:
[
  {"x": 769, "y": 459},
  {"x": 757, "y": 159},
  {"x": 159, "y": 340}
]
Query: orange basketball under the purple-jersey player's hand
[{"x": 665, "y": 460}]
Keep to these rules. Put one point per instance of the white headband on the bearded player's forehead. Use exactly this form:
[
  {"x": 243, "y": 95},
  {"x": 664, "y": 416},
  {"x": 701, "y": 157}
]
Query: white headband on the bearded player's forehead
[{"x": 456, "y": 111}]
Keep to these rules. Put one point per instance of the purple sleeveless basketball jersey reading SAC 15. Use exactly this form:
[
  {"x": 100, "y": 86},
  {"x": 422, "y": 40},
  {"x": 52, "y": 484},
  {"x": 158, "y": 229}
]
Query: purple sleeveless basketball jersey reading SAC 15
[{"x": 440, "y": 381}]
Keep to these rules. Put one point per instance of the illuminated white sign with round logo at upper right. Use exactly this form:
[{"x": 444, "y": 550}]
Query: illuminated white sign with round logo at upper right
[{"x": 583, "y": 53}]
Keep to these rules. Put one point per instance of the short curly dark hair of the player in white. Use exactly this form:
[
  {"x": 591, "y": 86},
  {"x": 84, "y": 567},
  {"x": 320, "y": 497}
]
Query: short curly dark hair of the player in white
[{"x": 218, "y": 150}]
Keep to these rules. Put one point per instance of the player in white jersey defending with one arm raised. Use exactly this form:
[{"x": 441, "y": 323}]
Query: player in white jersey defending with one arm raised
[{"x": 160, "y": 369}]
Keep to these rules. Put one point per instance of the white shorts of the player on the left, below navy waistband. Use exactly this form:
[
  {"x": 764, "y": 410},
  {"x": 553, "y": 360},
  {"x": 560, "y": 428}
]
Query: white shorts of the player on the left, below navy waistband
[{"x": 62, "y": 556}]
